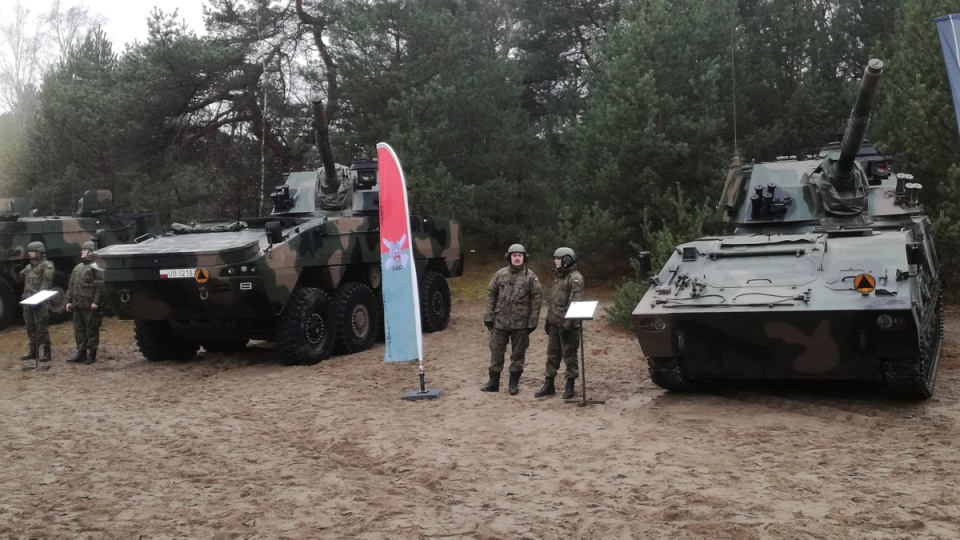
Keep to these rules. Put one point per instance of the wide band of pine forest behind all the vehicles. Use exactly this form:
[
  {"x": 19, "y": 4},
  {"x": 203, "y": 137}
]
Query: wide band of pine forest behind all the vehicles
[{"x": 595, "y": 124}]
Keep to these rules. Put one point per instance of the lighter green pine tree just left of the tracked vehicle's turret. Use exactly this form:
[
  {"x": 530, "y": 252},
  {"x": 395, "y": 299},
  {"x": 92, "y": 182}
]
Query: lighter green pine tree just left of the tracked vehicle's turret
[{"x": 654, "y": 116}]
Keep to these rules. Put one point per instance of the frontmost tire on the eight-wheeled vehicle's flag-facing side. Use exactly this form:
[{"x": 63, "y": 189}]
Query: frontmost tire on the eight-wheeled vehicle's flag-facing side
[{"x": 307, "y": 329}]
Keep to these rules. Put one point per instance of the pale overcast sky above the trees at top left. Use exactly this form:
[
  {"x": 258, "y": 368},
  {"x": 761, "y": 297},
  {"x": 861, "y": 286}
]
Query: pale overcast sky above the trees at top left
[{"x": 126, "y": 19}]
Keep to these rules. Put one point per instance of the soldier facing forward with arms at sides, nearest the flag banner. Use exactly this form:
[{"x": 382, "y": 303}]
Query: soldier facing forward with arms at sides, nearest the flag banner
[{"x": 513, "y": 310}]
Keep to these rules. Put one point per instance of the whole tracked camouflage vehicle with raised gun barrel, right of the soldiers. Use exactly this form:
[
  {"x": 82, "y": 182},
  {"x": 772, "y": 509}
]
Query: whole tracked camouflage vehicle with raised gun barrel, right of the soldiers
[{"x": 830, "y": 274}]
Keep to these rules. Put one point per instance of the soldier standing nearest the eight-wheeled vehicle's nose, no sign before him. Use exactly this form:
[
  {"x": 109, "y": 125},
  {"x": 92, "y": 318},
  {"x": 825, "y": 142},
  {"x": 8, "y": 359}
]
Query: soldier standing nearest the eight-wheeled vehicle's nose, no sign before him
[{"x": 83, "y": 300}]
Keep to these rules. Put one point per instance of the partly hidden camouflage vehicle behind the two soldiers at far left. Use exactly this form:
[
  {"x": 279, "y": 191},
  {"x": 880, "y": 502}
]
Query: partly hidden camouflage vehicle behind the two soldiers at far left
[{"x": 63, "y": 237}]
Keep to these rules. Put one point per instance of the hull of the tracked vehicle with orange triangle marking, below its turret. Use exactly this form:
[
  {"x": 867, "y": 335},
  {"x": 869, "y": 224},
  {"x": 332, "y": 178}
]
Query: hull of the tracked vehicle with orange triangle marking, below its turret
[{"x": 788, "y": 307}]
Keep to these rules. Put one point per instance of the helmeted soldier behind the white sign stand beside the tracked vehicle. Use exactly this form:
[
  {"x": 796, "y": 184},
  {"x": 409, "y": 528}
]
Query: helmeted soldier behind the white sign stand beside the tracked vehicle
[{"x": 564, "y": 335}]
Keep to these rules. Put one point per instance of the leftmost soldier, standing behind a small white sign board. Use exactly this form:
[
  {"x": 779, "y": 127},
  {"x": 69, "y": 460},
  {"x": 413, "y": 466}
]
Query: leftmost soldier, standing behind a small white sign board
[{"x": 37, "y": 276}]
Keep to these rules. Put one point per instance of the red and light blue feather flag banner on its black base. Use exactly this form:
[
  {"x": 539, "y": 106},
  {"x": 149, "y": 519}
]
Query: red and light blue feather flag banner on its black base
[{"x": 401, "y": 297}]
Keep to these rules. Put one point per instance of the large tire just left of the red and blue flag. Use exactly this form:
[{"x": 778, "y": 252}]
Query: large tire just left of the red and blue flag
[{"x": 357, "y": 317}]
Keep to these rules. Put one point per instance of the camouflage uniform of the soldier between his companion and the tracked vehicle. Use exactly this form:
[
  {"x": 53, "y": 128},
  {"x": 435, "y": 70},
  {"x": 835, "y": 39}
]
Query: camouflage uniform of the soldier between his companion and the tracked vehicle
[{"x": 564, "y": 335}]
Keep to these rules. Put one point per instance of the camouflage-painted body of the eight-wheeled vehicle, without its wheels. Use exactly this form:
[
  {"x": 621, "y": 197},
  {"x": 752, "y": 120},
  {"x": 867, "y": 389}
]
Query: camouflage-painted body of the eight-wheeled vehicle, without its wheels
[{"x": 236, "y": 283}]
